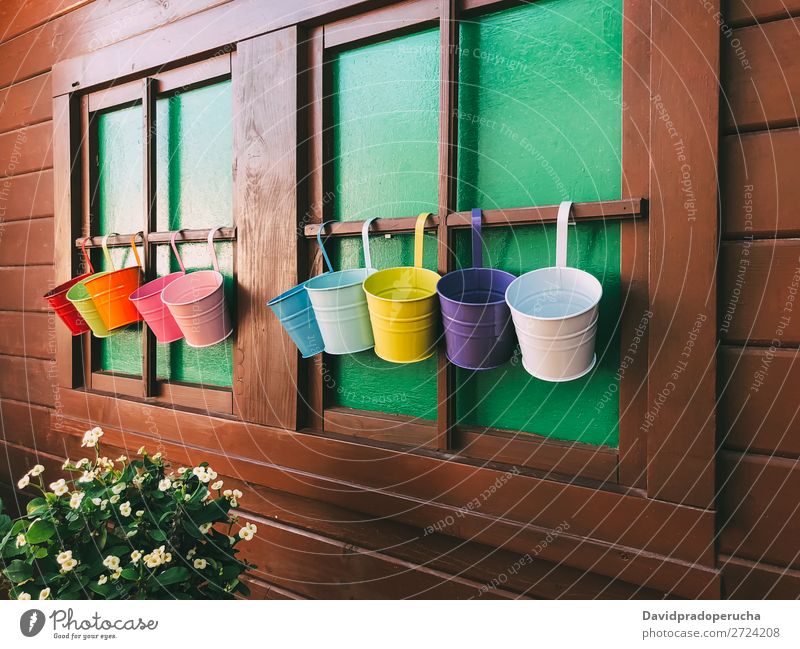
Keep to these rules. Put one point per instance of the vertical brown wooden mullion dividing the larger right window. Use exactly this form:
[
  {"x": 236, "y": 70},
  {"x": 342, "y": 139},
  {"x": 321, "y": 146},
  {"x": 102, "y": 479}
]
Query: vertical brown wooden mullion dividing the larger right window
[{"x": 448, "y": 87}]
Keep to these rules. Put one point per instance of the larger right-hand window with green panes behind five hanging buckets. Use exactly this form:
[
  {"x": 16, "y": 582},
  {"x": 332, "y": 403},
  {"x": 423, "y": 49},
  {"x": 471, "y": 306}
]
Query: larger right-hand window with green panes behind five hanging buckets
[{"x": 537, "y": 119}]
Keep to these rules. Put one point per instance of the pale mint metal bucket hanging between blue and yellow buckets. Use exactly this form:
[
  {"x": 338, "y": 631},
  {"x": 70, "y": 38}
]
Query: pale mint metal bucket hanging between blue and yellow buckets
[{"x": 340, "y": 305}]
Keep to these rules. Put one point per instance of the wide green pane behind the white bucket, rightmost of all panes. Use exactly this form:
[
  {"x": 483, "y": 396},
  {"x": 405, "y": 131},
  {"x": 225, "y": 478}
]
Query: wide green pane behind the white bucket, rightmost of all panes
[{"x": 539, "y": 122}]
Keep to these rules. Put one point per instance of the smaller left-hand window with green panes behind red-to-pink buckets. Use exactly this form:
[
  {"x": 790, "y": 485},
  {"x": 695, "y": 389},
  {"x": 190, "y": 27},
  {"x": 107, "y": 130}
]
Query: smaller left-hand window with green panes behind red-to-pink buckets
[{"x": 193, "y": 191}]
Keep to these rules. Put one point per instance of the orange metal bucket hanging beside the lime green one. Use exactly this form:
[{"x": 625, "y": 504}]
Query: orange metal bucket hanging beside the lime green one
[{"x": 111, "y": 291}]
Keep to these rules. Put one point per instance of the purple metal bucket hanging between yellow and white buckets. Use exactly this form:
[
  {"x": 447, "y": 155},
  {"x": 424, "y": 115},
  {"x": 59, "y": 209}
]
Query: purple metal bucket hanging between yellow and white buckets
[{"x": 478, "y": 331}]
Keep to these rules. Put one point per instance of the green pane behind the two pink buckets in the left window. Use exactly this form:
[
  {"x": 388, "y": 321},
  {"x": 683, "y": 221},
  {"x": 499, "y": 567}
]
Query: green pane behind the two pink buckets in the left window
[{"x": 195, "y": 190}]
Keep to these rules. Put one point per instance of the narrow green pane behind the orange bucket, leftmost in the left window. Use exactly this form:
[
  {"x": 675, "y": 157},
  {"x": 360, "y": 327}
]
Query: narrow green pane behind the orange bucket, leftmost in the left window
[{"x": 119, "y": 209}]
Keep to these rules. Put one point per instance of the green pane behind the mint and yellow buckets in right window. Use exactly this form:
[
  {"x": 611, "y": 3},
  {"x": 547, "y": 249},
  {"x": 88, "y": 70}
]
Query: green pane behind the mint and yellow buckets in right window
[{"x": 385, "y": 132}]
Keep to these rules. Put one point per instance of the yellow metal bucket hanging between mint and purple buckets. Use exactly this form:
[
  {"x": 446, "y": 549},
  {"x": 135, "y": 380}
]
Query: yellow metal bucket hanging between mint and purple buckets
[{"x": 404, "y": 307}]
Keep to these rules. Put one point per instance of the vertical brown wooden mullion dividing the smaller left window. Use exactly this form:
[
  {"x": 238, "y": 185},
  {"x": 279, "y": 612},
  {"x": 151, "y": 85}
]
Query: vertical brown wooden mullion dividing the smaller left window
[{"x": 149, "y": 94}]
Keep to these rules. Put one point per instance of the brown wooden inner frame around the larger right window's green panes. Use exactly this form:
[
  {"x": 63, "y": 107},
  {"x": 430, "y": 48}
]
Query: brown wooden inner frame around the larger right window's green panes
[{"x": 623, "y": 465}]
